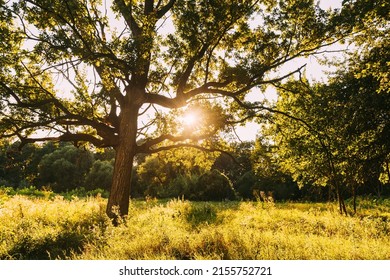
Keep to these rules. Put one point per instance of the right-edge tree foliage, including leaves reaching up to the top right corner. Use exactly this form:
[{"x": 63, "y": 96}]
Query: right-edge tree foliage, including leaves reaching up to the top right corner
[{"x": 335, "y": 134}]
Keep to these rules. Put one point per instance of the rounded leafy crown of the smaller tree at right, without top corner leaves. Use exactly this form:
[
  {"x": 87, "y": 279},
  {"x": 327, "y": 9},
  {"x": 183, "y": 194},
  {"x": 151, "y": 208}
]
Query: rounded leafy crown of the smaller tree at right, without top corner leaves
[{"x": 334, "y": 134}]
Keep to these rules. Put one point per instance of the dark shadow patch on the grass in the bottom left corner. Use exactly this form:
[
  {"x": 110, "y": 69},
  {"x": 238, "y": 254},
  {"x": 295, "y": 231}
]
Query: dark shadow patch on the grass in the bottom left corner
[{"x": 50, "y": 247}]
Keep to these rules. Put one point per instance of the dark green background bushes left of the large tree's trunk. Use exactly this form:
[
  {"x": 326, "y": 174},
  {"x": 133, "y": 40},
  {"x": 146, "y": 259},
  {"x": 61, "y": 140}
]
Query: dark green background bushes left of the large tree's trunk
[{"x": 59, "y": 167}]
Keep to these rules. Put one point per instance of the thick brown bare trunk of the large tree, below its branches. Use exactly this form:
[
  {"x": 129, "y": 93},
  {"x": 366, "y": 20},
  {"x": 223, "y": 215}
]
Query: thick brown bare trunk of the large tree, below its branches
[{"x": 118, "y": 201}]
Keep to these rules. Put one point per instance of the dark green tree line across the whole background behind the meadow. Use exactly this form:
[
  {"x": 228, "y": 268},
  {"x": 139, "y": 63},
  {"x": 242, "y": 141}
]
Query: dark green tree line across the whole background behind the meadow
[{"x": 249, "y": 171}]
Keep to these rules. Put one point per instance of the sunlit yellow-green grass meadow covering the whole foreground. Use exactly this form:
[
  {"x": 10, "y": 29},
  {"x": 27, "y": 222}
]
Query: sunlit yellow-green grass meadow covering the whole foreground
[{"x": 57, "y": 228}]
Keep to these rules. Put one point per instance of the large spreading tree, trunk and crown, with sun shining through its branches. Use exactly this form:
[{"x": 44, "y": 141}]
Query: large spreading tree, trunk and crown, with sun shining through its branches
[{"x": 82, "y": 73}]
